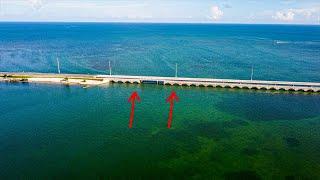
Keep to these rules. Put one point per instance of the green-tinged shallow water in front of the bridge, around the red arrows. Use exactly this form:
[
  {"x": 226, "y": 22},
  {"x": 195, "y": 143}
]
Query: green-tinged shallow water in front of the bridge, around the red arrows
[{"x": 57, "y": 131}]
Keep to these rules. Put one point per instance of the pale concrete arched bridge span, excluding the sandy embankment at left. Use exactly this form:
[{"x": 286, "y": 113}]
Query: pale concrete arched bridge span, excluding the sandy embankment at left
[{"x": 217, "y": 83}]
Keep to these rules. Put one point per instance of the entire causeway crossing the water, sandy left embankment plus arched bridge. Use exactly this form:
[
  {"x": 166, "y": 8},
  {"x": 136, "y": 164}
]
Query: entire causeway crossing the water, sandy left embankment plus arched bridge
[{"x": 85, "y": 79}]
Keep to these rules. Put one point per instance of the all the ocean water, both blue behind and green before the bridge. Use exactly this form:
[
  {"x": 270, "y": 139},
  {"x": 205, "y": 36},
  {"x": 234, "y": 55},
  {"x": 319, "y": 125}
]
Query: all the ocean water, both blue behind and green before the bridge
[{"x": 57, "y": 132}]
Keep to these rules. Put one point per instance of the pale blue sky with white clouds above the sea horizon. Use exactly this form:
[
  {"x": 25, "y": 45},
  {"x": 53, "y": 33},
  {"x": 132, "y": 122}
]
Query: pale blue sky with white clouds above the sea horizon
[{"x": 159, "y": 11}]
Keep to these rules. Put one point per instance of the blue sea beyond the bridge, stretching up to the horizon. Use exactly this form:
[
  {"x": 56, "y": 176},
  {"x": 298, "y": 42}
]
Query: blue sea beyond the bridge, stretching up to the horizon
[{"x": 277, "y": 52}]
